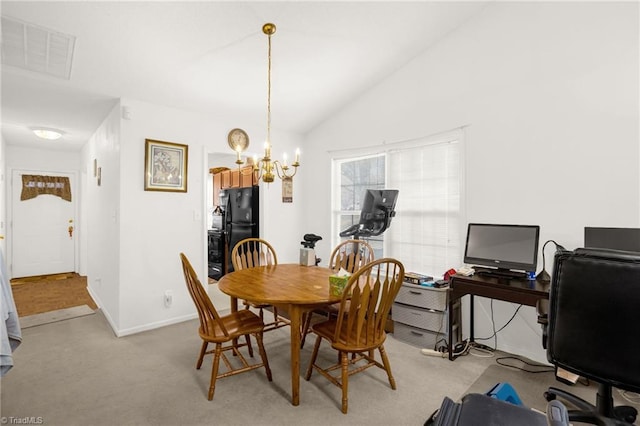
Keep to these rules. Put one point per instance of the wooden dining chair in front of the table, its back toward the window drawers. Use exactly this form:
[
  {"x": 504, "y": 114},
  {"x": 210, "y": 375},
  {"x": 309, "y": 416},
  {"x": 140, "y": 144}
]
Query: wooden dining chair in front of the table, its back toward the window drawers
[{"x": 358, "y": 329}]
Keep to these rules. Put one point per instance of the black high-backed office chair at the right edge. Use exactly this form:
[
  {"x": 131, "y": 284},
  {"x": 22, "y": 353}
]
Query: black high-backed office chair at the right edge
[{"x": 592, "y": 330}]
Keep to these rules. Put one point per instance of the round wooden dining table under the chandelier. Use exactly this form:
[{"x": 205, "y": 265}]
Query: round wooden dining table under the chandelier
[{"x": 295, "y": 288}]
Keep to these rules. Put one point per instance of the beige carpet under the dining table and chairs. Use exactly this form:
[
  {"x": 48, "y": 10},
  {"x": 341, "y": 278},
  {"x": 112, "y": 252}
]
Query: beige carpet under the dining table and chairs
[{"x": 78, "y": 373}]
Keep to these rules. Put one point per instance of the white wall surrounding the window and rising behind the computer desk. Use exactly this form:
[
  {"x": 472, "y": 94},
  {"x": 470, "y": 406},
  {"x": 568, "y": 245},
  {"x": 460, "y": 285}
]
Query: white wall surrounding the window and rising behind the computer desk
[{"x": 549, "y": 92}]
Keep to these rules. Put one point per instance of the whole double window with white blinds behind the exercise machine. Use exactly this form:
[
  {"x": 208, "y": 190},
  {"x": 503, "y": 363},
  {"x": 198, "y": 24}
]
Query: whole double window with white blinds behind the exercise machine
[{"x": 426, "y": 232}]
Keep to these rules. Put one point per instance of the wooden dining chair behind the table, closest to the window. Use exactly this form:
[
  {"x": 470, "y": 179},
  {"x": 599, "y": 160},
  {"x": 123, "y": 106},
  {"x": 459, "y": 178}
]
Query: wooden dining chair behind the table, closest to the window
[{"x": 349, "y": 255}]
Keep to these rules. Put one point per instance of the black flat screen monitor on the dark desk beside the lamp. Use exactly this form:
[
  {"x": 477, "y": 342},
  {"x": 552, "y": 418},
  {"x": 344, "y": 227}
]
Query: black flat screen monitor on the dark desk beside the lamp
[{"x": 504, "y": 247}]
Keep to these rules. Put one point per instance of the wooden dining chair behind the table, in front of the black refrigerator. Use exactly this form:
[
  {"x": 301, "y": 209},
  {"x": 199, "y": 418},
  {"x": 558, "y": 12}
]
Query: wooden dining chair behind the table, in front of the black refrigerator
[{"x": 252, "y": 252}]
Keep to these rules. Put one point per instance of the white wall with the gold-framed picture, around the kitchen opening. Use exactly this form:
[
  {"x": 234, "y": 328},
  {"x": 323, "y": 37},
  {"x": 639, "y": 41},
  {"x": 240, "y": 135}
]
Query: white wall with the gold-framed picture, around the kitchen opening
[{"x": 136, "y": 235}]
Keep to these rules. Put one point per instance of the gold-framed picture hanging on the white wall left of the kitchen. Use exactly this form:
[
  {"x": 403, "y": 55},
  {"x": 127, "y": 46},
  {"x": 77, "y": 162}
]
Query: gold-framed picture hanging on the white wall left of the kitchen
[{"x": 165, "y": 166}]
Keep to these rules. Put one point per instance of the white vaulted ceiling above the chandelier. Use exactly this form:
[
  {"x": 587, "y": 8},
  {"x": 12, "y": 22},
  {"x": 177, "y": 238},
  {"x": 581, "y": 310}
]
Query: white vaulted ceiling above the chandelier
[{"x": 211, "y": 57}]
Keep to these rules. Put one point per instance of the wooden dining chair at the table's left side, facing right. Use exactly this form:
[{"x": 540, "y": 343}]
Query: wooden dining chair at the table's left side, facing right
[{"x": 223, "y": 331}]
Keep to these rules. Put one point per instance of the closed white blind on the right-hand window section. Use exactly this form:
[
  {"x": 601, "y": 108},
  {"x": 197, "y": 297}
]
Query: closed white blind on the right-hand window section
[{"x": 425, "y": 233}]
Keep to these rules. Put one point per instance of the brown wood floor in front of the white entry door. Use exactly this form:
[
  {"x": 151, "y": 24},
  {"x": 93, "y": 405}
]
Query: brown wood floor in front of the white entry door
[{"x": 35, "y": 295}]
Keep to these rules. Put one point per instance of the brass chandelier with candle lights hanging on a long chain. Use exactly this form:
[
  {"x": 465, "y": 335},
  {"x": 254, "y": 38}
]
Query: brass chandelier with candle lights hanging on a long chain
[{"x": 265, "y": 168}]
